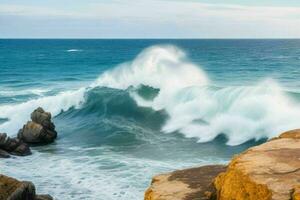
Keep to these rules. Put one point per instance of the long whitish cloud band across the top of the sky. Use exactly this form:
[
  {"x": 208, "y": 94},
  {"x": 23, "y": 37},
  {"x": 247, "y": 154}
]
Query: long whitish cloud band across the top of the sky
[{"x": 155, "y": 9}]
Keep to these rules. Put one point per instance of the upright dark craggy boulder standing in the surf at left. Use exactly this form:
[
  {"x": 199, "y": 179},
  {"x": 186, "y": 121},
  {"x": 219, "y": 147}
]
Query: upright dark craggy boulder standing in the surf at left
[{"x": 40, "y": 130}]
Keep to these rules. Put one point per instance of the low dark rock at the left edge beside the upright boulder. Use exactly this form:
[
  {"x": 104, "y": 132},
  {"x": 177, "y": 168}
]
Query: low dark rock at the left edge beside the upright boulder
[{"x": 12, "y": 146}]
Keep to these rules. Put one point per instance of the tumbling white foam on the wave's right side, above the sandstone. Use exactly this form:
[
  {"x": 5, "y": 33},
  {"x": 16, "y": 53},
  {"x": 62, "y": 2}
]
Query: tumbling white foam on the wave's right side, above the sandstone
[{"x": 241, "y": 113}]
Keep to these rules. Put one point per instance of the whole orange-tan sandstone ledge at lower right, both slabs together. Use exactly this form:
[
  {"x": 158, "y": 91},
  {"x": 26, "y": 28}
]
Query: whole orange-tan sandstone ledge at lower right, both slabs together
[{"x": 270, "y": 171}]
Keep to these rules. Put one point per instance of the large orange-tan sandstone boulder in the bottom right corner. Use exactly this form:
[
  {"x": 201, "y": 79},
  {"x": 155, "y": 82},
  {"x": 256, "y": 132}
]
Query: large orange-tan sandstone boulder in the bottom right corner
[{"x": 267, "y": 171}]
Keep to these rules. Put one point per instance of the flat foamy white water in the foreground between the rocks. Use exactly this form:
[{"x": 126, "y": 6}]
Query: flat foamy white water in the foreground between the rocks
[{"x": 105, "y": 175}]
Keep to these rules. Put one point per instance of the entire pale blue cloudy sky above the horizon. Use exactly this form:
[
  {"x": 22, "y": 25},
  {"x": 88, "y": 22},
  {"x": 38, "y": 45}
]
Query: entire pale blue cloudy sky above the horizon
[{"x": 150, "y": 19}]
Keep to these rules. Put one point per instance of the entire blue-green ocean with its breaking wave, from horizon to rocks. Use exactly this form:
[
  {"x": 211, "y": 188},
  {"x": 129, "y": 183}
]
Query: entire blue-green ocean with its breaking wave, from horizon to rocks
[{"x": 126, "y": 110}]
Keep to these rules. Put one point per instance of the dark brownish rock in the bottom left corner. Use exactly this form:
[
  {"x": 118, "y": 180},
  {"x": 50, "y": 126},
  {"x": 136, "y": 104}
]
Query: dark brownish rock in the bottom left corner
[{"x": 12, "y": 189}]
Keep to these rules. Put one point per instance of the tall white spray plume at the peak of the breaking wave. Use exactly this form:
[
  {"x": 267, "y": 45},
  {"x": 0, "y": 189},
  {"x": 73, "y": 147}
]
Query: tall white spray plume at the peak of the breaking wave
[{"x": 162, "y": 67}]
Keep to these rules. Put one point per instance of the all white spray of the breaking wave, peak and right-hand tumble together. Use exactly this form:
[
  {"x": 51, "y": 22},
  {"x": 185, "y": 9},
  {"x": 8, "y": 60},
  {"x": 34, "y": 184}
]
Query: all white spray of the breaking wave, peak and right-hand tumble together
[{"x": 198, "y": 110}]
